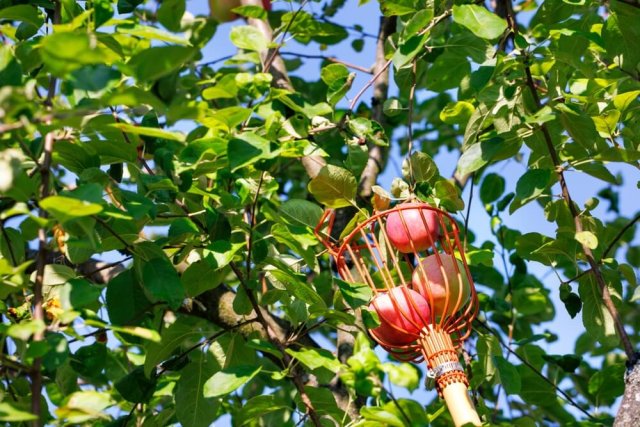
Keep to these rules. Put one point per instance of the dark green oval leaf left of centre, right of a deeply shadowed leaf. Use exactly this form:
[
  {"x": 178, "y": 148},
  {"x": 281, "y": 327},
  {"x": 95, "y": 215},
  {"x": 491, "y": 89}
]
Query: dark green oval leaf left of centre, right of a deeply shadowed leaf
[{"x": 161, "y": 279}]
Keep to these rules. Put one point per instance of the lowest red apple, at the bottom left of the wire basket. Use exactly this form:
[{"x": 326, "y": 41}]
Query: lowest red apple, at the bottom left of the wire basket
[{"x": 402, "y": 313}]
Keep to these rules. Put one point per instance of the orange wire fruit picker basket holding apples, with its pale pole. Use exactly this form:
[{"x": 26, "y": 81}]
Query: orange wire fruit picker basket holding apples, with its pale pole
[{"x": 412, "y": 259}]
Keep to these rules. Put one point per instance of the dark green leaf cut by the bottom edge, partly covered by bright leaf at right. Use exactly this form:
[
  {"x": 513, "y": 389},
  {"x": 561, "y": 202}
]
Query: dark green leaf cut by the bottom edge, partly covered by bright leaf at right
[{"x": 192, "y": 408}]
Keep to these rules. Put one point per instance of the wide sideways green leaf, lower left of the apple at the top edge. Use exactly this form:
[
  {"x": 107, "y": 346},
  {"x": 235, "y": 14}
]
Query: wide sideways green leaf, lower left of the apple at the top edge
[{"x": 156, "y": 62}]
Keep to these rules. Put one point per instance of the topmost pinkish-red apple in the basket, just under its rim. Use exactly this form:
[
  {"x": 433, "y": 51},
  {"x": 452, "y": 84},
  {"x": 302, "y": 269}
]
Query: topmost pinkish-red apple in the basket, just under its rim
[{"x": 422, "y": 233}]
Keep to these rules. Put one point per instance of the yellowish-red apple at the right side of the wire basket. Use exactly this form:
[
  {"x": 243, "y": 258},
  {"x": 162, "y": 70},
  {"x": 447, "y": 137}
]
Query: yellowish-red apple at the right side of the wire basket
[{"x": 440, "y": 281}]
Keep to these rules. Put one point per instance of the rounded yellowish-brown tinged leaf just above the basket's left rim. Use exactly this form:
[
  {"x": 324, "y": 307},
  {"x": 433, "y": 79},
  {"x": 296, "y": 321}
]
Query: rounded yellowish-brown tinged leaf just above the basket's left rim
[{"x": 334, "y": 187}]
